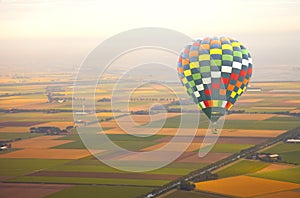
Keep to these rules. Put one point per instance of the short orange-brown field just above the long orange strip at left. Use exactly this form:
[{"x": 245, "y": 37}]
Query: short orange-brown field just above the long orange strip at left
[{"x": 41, "y": 142}]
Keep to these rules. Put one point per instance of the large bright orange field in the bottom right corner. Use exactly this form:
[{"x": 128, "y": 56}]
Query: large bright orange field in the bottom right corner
[{"x": 245, "y": 186}]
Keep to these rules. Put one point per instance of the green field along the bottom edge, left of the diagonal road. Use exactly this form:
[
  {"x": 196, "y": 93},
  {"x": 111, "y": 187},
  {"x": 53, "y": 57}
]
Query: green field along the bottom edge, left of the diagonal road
[{"x": 100, "y": 191}]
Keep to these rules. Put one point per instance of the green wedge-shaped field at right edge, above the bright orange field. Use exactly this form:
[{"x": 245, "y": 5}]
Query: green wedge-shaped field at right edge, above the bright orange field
[{"x": 288, "y": 175}]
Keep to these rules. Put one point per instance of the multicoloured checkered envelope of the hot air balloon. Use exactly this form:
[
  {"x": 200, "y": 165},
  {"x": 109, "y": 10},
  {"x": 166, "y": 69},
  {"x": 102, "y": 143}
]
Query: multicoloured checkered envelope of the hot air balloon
[{"x": 215, "y": 72}]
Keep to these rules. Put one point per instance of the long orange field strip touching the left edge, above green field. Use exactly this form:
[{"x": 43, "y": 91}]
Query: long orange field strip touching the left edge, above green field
[{"x": 47, "y": 154}]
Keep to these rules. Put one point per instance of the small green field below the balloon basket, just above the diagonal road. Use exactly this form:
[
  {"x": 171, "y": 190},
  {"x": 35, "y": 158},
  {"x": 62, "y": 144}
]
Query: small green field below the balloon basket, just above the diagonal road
[{"x": 229, "y": 148}]
